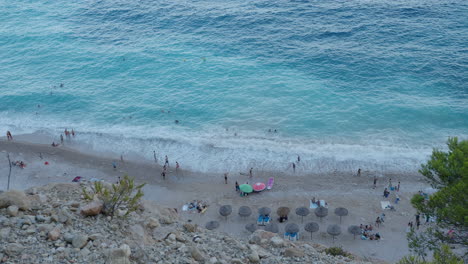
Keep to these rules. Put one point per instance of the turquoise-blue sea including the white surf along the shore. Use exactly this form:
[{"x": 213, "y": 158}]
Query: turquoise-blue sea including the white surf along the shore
[{"x": 347, "y": 84}]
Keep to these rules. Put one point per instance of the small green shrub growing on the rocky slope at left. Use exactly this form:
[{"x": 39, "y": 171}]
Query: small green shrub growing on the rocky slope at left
[{"x": 124, "y": 194}]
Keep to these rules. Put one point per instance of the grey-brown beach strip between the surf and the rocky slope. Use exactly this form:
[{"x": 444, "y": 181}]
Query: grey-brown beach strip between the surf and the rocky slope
[{"x": 292, "y": 190}]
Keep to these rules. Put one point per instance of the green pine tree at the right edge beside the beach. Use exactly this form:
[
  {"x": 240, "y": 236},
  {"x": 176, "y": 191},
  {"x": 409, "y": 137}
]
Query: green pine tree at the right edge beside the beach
[{"x": 448, "y": 172}]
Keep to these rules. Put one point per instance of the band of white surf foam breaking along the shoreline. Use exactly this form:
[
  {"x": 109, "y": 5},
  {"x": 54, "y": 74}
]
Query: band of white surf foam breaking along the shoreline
[{"x": 217, "y": 150}]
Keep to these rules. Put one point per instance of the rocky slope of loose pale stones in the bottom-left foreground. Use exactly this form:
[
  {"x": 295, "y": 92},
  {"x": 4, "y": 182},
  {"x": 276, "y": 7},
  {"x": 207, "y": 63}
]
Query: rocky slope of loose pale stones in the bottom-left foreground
[{"x": 49, "y": 226}]
